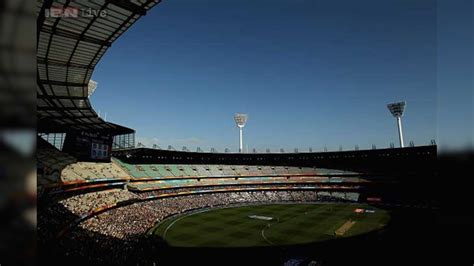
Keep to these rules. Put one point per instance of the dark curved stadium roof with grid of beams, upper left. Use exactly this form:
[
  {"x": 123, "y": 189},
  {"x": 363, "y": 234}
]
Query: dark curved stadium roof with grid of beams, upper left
[{"x": 69, "y": 46}]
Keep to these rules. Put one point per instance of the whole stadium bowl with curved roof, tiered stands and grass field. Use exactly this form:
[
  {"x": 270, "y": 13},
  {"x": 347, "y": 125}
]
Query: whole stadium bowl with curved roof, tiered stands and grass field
[{"x": 105, "y": 200}]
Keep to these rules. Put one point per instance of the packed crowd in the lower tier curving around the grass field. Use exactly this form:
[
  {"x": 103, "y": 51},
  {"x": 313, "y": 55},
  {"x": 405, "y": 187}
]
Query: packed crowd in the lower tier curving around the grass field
[{"x": 121, "y": 232}]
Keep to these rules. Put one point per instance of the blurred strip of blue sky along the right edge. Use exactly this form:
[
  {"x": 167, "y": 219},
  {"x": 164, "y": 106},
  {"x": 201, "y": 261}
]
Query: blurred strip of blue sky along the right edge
[{"x": 455, "y": 62}]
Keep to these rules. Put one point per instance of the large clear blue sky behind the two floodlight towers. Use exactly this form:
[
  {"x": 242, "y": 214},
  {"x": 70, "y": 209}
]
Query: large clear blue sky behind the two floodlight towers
[{"x": 308, "y": 73}]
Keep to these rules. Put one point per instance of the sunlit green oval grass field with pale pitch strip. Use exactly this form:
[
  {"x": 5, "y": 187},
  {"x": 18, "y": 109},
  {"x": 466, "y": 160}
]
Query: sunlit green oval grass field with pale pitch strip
[{"x": 291, "y": 224}]
